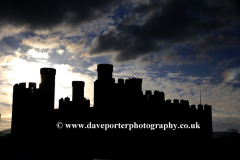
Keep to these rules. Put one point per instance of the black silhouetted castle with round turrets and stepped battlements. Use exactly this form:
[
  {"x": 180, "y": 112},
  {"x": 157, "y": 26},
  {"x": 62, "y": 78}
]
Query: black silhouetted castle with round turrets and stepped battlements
[{"x": 34, "y": 118}]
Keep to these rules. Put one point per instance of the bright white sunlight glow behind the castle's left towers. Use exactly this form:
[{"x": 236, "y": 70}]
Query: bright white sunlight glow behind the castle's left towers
[{"x": 20, "y": 70}]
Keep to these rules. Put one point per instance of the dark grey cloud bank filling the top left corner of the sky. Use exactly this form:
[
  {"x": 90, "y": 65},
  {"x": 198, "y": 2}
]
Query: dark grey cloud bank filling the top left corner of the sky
[{"x": 46, "y": 14}]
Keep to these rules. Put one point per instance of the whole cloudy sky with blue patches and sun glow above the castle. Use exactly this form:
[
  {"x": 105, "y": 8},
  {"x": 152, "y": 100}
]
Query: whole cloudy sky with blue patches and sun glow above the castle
[{"x": 178, "y": 47}]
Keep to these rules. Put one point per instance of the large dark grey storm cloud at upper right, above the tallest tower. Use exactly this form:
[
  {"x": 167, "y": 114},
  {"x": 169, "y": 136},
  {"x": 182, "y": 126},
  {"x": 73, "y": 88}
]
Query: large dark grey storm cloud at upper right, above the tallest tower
[{"x": 158, "y": 26}]
